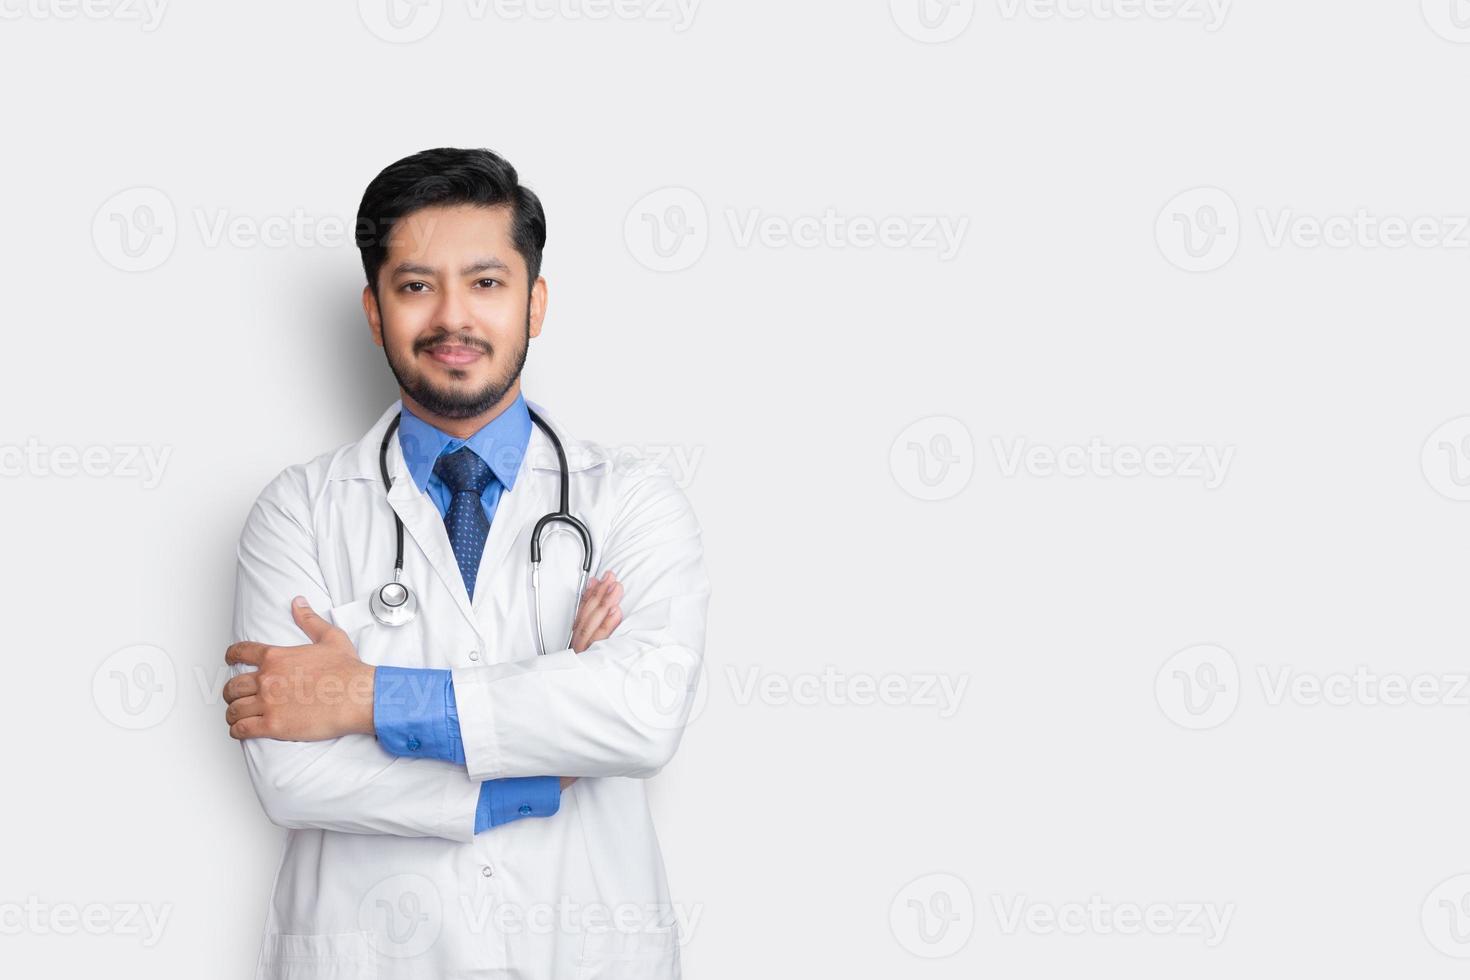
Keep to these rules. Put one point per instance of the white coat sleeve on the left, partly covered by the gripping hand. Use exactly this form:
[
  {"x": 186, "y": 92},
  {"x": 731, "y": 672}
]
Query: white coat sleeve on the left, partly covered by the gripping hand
[{"x": 348, "y": 784}]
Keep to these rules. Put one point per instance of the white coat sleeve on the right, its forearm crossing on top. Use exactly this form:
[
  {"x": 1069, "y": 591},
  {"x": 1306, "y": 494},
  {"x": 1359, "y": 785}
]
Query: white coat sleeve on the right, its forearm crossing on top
[{"x": 620, "y": 707}]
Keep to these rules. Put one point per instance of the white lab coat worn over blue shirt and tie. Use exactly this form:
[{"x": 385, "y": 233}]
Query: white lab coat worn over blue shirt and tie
[{"x": 381, "y": 875}]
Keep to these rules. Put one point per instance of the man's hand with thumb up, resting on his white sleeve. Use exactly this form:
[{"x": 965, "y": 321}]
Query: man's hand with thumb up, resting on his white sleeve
[{"x": 301, "y": 694}]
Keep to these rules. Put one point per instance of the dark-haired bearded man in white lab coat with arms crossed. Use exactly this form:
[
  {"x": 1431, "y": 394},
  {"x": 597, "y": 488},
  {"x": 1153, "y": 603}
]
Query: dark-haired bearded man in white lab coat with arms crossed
[{"x": 461, "y": 803}]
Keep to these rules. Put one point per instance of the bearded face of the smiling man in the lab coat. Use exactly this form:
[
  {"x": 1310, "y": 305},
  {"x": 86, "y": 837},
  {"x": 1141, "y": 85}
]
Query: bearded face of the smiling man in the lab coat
[{"x": 455, "y": 312}]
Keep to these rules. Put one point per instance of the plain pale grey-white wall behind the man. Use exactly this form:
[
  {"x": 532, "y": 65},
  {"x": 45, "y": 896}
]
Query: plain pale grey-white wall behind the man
[{"x": 825, "y": 393}]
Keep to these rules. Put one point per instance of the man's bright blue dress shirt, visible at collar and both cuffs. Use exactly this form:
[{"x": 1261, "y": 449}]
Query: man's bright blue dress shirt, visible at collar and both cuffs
[{"x": 415, "y": 713}]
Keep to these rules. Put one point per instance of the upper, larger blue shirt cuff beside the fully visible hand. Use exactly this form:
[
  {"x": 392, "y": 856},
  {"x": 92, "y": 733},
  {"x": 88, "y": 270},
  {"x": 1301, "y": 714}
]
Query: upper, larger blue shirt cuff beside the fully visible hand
[{"x": 414, "y": 713}]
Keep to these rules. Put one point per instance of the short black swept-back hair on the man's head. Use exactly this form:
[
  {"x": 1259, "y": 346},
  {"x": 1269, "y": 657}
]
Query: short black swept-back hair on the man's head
[{"x": 448, "y": 177}]
